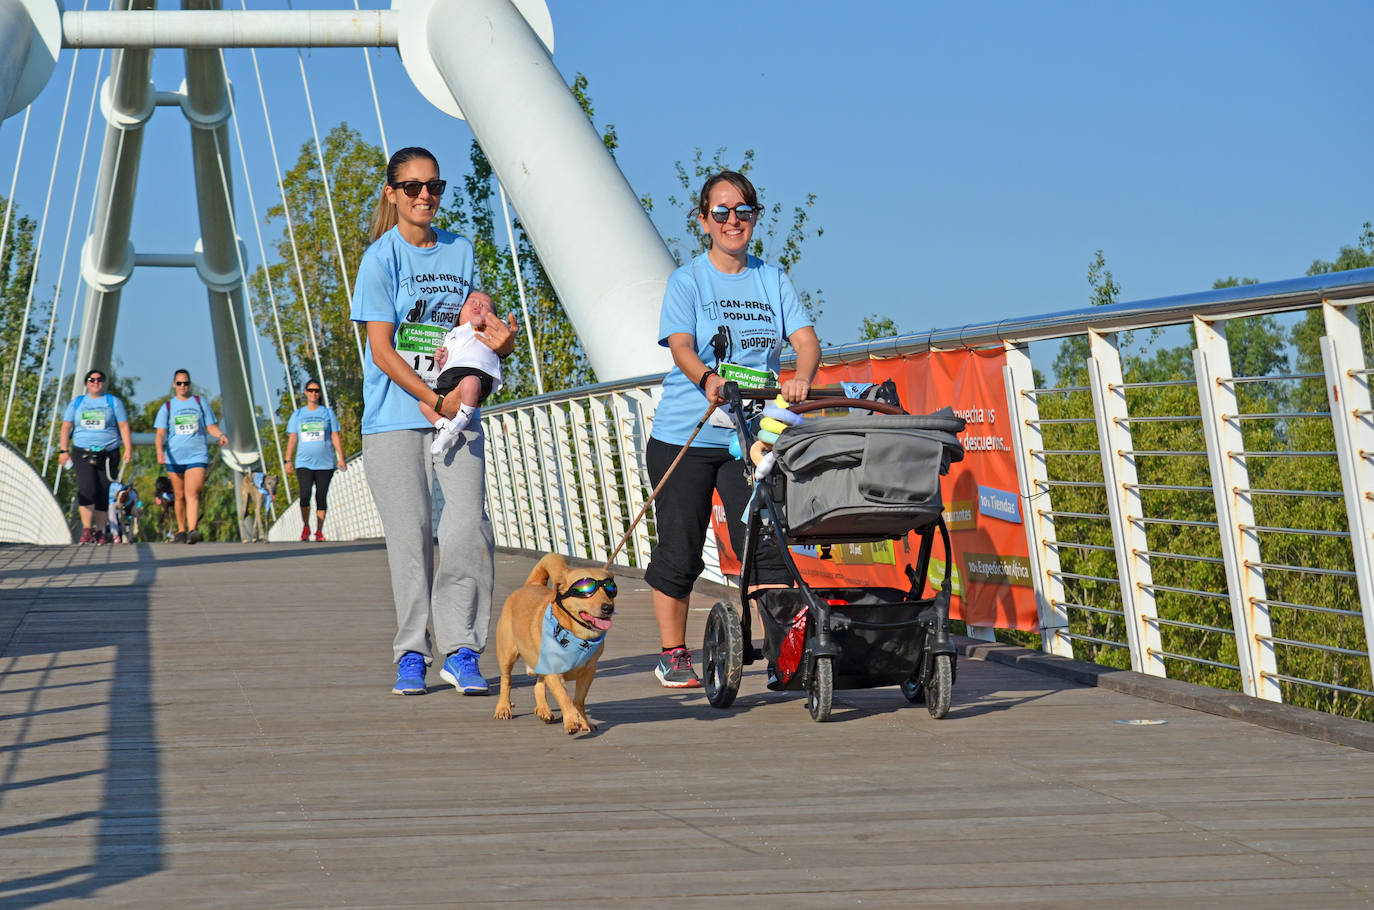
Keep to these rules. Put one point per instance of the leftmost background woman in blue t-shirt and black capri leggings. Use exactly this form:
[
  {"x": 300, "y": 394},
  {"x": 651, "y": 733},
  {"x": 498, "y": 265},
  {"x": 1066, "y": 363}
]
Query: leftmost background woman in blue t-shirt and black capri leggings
[{"x": 101, "y": 425}]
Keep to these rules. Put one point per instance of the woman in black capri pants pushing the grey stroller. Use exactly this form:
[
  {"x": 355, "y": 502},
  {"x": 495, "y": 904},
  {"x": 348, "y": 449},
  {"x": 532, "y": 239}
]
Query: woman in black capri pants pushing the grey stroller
[{"x": 723, "y": 307}]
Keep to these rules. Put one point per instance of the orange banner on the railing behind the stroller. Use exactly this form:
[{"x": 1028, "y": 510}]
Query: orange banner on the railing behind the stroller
[{"x": 993, "y": 570}]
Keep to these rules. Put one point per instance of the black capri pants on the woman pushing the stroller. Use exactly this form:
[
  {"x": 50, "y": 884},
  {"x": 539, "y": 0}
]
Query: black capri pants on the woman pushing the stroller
[{"x": 682, "y": 512}]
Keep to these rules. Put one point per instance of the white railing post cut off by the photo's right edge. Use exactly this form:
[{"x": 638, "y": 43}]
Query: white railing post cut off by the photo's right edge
[{"x": 1353, "y": 423}]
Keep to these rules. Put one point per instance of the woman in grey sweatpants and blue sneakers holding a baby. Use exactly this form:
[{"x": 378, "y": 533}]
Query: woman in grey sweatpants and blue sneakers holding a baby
[{"x": 410, "y": 292}]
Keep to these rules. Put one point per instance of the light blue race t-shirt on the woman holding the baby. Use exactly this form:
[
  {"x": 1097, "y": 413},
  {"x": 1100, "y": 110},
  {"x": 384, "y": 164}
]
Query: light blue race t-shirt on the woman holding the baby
[{"x": 420, "y": 291}]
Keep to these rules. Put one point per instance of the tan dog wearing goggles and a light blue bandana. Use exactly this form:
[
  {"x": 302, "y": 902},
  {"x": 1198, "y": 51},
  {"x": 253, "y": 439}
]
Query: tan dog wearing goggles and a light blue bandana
[{"x": 557, "y": 623}]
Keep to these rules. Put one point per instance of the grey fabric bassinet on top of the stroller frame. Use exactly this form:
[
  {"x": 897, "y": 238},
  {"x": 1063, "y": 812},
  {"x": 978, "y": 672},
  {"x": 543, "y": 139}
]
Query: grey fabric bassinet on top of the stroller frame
[{"x": 864, "y": 478}]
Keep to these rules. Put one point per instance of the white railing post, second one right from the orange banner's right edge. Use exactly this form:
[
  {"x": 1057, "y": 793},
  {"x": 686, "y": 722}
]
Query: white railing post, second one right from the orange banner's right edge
[{"x": 1125, "y": 505}]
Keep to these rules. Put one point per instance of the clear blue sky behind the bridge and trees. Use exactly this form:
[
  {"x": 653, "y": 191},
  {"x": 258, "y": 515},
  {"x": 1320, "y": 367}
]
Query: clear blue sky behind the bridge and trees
[{"x": 968, "y": 160}]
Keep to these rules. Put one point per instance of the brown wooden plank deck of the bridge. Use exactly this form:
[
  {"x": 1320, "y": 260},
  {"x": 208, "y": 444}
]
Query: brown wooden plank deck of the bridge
[{"x": 212, "y": 728}]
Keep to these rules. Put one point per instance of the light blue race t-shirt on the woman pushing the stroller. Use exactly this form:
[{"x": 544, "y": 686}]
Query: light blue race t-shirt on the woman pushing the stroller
[{"x": 756, "y": 311}]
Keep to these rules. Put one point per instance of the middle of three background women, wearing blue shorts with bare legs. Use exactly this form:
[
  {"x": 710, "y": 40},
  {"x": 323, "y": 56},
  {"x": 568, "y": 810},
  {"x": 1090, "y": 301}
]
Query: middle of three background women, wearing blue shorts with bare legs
[{"x": 183, "y": 425}]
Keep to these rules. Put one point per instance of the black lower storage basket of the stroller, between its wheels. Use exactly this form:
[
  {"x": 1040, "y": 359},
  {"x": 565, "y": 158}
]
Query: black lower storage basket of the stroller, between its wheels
[{"x": 881, "y": 647}]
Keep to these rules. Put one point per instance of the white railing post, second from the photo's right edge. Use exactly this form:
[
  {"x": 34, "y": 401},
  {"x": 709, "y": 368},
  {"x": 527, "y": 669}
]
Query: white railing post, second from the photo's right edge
[{"x": 1235, "y": 511}]
